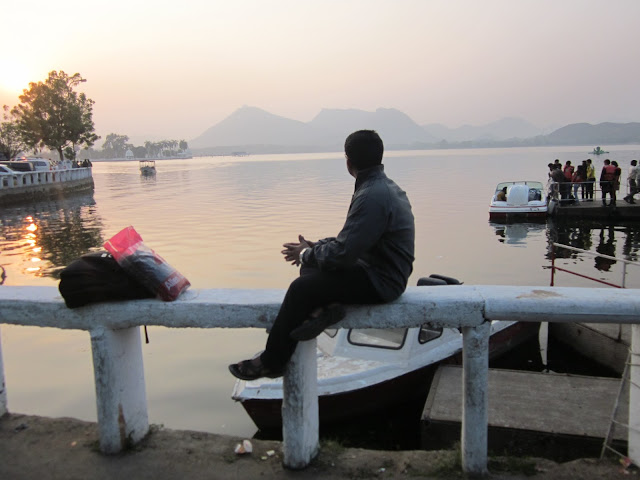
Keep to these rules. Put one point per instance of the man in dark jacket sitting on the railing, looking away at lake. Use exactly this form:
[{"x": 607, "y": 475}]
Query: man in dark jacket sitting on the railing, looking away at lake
[{"x": 368, "y": 262}]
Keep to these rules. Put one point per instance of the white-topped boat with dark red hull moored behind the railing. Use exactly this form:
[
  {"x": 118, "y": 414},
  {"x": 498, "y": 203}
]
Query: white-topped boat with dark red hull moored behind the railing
[{"x": 361, "y": 371}]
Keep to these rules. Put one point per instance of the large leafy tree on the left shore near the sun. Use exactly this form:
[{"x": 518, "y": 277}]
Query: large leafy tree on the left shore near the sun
[{"x": 53, "y": 115}]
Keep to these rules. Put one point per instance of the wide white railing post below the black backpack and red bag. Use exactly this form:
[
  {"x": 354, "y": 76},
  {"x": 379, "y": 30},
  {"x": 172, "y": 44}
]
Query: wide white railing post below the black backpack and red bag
[{"x": 120, "y": 389}]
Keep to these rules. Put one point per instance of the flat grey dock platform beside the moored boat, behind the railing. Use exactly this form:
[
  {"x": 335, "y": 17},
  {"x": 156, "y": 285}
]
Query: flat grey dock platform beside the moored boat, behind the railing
[{"x": 554, "y": 415}]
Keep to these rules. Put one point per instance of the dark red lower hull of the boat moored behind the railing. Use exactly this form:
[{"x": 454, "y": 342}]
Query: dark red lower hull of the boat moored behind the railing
[{"x": 359, "y": 402}]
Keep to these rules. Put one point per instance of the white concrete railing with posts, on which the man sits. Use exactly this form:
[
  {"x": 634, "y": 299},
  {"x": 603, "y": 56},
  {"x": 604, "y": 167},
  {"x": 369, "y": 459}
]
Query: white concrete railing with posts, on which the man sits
[{"x": 119, "y": 373}]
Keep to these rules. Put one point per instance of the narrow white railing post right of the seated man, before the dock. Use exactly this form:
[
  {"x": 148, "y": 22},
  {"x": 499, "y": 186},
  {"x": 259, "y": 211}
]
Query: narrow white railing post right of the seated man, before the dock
[{"x": 475, "y": 375}]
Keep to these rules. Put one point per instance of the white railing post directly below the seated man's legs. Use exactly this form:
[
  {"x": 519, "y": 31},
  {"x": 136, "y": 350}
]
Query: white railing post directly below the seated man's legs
[{"x": 300, "y": 419}]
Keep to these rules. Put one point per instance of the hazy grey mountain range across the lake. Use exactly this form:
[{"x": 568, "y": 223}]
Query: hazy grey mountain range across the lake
[{"x": 253, "y": 130}]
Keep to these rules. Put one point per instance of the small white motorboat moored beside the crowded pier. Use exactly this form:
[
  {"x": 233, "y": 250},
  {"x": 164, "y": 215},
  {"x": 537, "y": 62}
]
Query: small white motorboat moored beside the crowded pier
[{"x": 524, "y": 199}]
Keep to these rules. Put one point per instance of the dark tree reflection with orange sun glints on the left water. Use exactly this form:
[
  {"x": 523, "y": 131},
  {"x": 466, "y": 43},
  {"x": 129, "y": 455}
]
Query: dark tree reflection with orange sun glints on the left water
[{"x": 40, "y": 239}]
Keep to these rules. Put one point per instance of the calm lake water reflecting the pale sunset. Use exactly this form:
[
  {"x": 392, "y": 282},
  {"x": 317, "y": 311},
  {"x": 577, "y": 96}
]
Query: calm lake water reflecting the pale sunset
[{"x": 221, "y": 222}]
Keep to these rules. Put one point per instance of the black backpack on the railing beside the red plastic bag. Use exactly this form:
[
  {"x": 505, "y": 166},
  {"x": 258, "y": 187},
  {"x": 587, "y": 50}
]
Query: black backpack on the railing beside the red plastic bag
[{"x": 97, "y": 277}]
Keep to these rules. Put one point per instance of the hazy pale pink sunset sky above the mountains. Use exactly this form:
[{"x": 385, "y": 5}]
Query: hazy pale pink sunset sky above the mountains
[{"x": 173, "y": 69}]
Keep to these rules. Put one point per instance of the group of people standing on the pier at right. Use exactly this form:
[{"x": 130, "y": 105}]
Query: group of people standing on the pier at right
[{"x": 567, "y": 180}]
